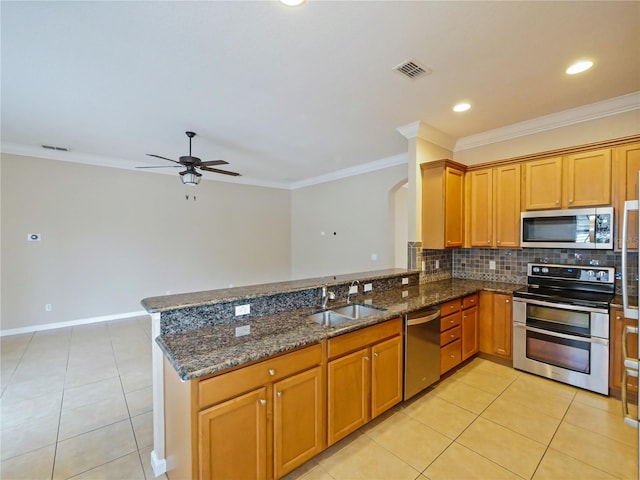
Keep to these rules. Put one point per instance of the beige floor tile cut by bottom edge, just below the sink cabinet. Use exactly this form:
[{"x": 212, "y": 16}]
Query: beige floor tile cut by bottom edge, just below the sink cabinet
[{"x": 365, "y": 459}]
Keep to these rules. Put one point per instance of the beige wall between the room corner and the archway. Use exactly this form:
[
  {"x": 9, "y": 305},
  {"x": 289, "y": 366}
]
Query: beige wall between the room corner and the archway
[{"x": 359, "y": 209}]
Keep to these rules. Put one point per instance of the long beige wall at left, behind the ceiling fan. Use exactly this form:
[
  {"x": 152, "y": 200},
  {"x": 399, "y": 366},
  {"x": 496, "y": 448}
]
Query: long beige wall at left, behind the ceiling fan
[{"x": 111, "y": 237}]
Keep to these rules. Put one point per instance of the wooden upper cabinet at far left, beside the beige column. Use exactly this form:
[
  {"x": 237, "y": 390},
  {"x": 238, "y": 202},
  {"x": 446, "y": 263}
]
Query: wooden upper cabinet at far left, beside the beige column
[{"x": 442, "y": 204}]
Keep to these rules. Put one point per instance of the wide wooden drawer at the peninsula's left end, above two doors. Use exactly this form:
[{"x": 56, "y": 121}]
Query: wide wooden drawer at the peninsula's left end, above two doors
[{"x": 228, "y": 385}]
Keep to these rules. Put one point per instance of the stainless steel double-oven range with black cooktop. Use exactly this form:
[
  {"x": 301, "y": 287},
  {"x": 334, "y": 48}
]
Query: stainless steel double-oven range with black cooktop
[{"x": 561, "y": 324}]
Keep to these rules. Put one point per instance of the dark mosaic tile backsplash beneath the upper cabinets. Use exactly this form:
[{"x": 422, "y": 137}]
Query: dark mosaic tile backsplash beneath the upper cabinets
[{"x": 511, "y": 265}]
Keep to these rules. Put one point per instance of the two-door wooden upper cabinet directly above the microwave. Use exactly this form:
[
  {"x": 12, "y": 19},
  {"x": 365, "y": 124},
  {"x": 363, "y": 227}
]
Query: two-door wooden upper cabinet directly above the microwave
[{"x": 574, "y": 181}]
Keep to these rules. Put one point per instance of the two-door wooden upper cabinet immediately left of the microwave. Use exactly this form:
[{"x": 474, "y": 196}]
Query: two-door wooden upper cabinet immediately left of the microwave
[{"x": 494, "y": 207}]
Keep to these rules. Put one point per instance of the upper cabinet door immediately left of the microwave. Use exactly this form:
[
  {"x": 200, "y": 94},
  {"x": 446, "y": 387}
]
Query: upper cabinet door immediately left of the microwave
[{"x": 507, "y": 206}]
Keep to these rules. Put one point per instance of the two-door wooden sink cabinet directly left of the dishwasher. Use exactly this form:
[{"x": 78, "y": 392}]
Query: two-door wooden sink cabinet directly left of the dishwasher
[{"x": 364, "y": 376}]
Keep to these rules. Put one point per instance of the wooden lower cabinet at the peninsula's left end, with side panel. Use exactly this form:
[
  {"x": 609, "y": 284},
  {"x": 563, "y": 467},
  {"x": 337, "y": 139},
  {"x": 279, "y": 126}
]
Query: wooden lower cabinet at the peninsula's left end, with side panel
[{"x": 260, "y": 421}]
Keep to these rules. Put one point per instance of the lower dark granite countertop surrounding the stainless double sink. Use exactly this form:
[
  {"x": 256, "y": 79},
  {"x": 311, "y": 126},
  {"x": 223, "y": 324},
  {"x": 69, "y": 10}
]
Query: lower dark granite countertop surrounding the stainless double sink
[{"x": 212, "y": 349}]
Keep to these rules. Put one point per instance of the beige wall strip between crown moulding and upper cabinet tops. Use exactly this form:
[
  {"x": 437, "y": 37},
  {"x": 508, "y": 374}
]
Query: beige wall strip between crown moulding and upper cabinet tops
[{"x": 606, "y": 128}]
